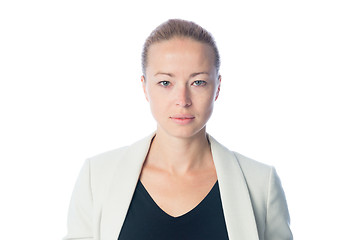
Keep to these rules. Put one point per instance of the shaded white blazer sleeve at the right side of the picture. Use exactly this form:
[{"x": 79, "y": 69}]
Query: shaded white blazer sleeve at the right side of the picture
[{"x": 277, "y": 217}]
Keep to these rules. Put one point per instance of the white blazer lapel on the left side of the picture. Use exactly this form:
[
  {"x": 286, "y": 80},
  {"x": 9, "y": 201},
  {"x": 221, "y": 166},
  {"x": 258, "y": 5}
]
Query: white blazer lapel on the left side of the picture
[{"x": 122, "y": 188}]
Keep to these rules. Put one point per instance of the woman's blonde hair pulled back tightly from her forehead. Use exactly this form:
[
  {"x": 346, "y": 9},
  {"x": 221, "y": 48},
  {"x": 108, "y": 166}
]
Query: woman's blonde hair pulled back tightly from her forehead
[{"x": 179, "y": 28}]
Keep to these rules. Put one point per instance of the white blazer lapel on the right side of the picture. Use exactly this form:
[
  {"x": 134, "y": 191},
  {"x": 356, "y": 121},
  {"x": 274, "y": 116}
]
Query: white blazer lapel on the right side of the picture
[{"x": 238, "y": 210}]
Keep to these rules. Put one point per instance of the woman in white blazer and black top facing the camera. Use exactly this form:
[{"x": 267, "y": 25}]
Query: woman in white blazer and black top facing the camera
[{"x": 178, "y": 183}]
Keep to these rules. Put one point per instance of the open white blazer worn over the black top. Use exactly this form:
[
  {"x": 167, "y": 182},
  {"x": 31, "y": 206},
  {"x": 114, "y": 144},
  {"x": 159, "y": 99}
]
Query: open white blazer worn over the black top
[{"x": 253, "y": 200}]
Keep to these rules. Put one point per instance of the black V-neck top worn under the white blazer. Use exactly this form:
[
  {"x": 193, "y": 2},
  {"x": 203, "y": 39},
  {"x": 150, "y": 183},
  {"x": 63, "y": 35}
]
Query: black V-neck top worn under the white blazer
[{"x": 146, "y": 220}]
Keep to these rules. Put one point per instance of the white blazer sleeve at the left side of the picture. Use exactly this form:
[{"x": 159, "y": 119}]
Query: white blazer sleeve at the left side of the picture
[{"x": 80, "y": 217}]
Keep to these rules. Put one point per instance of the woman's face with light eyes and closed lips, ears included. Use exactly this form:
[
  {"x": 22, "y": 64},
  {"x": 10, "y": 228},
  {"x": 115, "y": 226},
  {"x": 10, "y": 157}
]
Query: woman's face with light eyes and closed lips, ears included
[{"x": 181, "y": 85}]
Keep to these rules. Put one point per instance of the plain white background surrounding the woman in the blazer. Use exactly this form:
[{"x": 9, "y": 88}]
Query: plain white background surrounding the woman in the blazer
[{"x": 70, "y": 89}]
